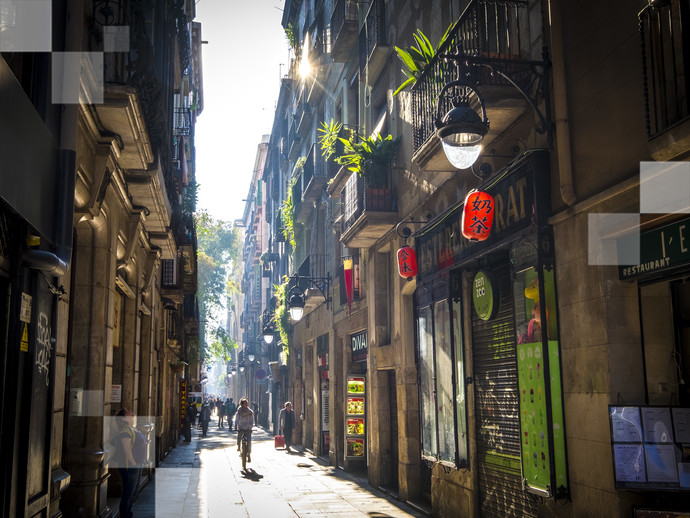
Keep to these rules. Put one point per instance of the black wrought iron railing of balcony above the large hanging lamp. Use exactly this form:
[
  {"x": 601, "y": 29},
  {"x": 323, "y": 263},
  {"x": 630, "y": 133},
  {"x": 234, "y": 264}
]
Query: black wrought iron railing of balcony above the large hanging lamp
[{"x": 488, "y": 31}]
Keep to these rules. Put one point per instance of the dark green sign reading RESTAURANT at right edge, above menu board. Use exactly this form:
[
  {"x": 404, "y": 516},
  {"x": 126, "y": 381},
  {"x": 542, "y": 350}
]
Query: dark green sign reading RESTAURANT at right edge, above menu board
[{"x": 661, "y": 249}]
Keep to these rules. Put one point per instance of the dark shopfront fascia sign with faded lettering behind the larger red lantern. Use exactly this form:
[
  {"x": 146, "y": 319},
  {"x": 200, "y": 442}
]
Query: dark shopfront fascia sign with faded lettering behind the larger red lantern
[{"x": 441, "y": 244}]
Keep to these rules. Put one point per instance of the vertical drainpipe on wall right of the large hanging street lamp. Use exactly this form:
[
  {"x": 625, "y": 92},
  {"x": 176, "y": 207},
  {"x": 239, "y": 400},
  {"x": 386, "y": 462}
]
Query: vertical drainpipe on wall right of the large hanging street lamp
[{"x": 563, "y": 149}]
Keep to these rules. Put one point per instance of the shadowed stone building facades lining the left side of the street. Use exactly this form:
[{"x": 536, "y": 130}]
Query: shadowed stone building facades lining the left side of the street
[{"x": 98, "y": 242}]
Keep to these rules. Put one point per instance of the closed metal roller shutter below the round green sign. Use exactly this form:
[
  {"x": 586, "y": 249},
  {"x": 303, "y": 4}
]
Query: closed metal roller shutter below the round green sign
[{"x": 497, "y": 408}]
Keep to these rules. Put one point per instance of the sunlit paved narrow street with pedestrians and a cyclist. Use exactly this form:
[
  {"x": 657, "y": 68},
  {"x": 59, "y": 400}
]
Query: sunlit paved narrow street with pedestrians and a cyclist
[{"x": 204, "y": 478}]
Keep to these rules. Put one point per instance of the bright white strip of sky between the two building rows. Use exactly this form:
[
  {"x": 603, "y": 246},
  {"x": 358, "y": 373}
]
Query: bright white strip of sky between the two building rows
[{"x": 246, "y": 55}]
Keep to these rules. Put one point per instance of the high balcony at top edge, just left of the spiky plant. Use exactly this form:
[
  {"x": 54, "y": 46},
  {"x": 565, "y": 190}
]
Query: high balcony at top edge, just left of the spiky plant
[{"x": 373, "y": 48}]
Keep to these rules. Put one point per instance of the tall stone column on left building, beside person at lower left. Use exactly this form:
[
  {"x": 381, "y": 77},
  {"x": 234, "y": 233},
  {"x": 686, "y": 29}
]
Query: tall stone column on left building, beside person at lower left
[{"x": 90, "y": 365}]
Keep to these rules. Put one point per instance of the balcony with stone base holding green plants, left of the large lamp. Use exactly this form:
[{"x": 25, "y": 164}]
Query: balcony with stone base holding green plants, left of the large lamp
[{"x": 369, "y": 209}]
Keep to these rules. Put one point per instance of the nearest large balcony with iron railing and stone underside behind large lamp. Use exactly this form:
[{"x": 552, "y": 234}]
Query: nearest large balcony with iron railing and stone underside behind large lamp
[{"x": 492, "y": 33}]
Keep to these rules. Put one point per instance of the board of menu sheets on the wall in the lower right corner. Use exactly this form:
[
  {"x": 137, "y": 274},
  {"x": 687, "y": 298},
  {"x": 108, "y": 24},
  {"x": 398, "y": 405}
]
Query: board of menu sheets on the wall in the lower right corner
[{"x": 650, "y": 448}]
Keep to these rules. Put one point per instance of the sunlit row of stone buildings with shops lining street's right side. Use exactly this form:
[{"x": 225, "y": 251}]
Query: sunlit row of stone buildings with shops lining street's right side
[{"x": 495, "y": 381}]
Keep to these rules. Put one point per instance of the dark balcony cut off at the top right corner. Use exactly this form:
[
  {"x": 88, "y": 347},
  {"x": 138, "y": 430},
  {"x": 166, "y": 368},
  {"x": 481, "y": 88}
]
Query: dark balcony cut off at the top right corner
[{"x": 665, "y": 67}]
